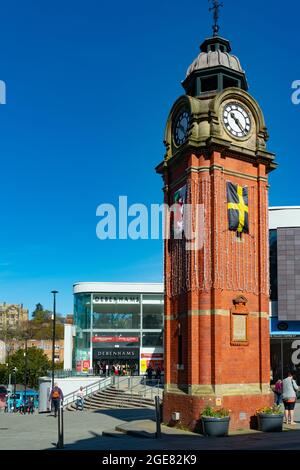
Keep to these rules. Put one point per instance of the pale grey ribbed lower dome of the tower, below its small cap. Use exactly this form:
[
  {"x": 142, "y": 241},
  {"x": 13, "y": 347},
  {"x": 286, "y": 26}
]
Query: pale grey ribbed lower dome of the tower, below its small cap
[{"x": 214, "y": 59}]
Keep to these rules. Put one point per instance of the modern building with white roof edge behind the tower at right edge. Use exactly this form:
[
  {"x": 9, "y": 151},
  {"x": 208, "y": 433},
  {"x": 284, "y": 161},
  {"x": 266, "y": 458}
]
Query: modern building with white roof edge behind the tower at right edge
[{"x": 284, "y": 225}]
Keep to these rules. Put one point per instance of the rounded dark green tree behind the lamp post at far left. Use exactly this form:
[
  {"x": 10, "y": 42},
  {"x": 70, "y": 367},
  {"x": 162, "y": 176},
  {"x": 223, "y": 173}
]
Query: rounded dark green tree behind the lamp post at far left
[{"x": 37, "y": 365}]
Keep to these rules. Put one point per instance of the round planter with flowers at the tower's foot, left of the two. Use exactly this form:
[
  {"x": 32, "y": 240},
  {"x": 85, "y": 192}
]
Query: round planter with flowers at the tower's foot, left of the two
[{"x": 215, "y": 421}]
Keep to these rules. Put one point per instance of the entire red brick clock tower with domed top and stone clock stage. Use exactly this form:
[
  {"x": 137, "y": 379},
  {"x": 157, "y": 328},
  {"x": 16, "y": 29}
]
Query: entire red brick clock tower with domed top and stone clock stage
[{"x": 217, "y": 295}]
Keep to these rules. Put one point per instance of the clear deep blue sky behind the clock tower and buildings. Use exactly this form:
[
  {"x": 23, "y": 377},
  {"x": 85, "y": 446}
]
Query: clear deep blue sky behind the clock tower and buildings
[{"x": 89, "y": 88}]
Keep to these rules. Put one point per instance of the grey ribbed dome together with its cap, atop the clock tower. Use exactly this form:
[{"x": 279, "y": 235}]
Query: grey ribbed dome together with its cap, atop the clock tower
[{"x": 215, "y": 52}]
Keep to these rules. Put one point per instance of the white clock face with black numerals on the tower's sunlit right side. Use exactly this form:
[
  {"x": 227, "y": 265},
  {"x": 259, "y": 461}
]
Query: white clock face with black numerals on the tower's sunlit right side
[{"x": 237, "y": 120}]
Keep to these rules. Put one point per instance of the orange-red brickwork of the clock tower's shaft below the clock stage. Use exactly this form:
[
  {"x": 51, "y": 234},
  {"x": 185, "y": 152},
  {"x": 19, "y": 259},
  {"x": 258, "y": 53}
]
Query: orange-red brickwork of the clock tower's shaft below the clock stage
[{"x": 201, "y": 310}]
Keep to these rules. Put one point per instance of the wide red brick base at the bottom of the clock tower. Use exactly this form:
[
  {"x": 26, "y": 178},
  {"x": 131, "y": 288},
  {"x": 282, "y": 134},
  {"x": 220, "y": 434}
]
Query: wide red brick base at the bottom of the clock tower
[{"x": 242, "y": 415}]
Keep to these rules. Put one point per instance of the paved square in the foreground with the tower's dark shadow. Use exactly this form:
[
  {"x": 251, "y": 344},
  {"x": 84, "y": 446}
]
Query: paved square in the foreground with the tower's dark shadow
[{"x": 129, "y": 429}]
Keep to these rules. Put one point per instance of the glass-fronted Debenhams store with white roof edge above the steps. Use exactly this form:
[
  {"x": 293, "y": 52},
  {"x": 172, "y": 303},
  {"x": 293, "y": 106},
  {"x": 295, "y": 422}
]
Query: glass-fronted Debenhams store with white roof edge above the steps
[{"x": 118, "y": 324}]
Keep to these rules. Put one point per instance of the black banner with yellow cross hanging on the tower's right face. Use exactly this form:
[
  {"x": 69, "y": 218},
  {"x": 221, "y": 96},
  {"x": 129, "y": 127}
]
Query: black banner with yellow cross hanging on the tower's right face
[{"x": 237, "y": 205}]
